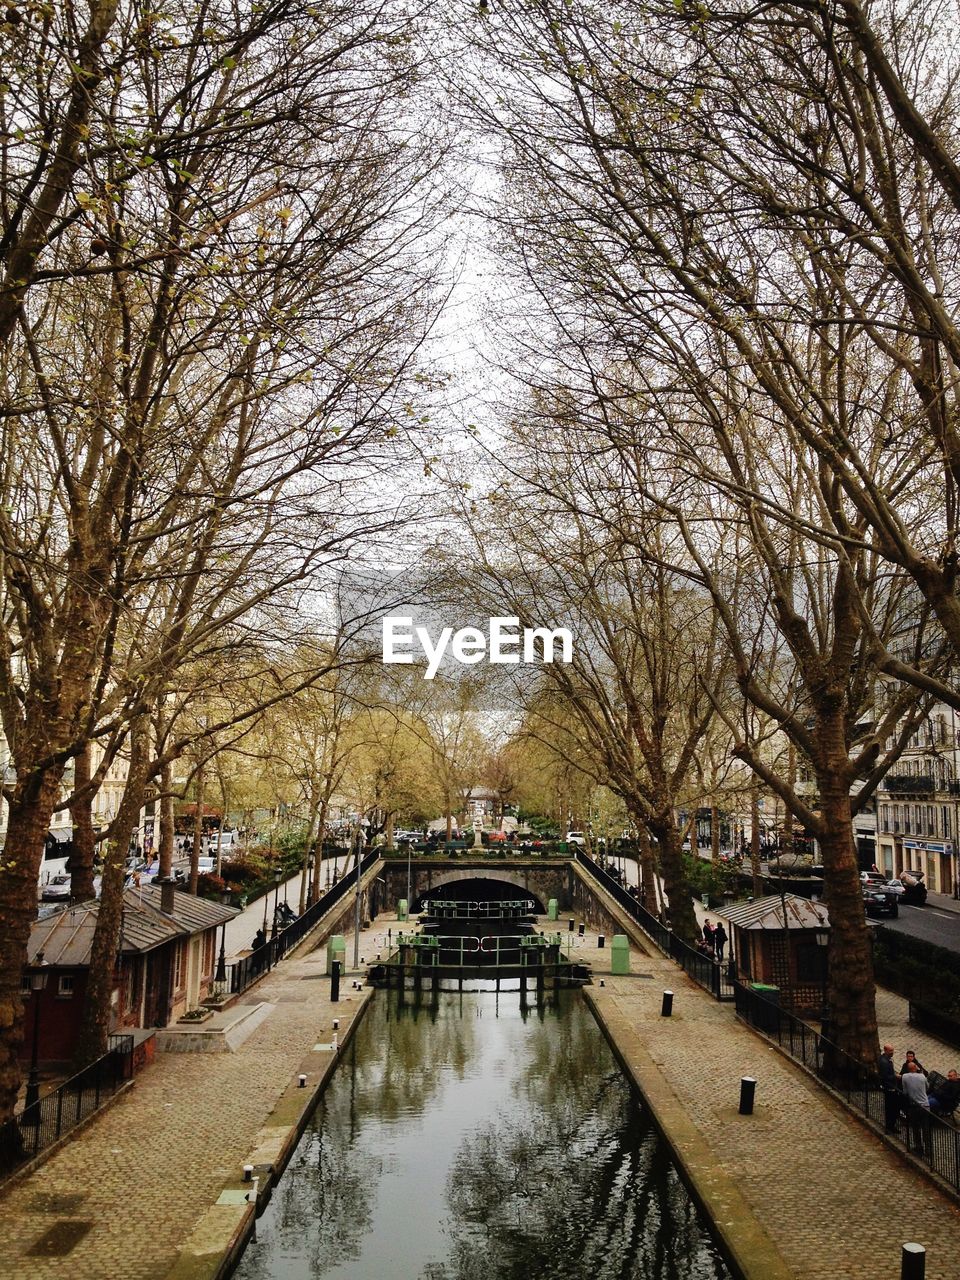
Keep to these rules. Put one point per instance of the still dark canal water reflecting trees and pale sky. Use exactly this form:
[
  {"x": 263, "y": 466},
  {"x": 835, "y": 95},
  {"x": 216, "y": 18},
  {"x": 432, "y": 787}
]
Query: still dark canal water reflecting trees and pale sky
[{"x": 467, "y": 1139}]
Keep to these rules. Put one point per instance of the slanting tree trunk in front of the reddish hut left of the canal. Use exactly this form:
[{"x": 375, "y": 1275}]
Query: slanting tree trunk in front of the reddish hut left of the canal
[{"x": 95, "y": 1027}]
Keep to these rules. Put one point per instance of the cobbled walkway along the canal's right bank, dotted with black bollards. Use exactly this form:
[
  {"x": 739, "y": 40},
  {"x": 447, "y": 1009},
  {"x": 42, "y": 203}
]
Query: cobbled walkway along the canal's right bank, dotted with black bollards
[{"x": 802, "y": 1187}]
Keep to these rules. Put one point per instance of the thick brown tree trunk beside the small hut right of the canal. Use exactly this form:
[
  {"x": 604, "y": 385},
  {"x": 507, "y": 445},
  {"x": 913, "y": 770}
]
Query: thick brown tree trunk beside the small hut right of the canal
[{"x": 851, "y": 988}]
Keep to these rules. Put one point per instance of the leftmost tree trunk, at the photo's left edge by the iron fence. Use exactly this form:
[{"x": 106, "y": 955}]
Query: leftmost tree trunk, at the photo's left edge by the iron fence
[{"x": 29, "y": 822}]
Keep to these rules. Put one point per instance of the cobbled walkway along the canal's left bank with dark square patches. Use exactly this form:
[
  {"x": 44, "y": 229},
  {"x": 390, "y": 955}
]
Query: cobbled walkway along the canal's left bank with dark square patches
[{"x": 134, "y": 1186}]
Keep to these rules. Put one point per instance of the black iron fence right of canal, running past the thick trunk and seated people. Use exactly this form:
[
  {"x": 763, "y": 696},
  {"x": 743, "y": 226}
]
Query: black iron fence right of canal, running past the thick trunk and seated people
[{"x": 931, "y": 1139}]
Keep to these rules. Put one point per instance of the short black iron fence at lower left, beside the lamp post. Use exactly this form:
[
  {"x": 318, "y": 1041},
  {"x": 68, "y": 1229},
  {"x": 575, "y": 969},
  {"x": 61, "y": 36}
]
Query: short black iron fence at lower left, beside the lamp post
[{"x": 39, "y": 1127}]
